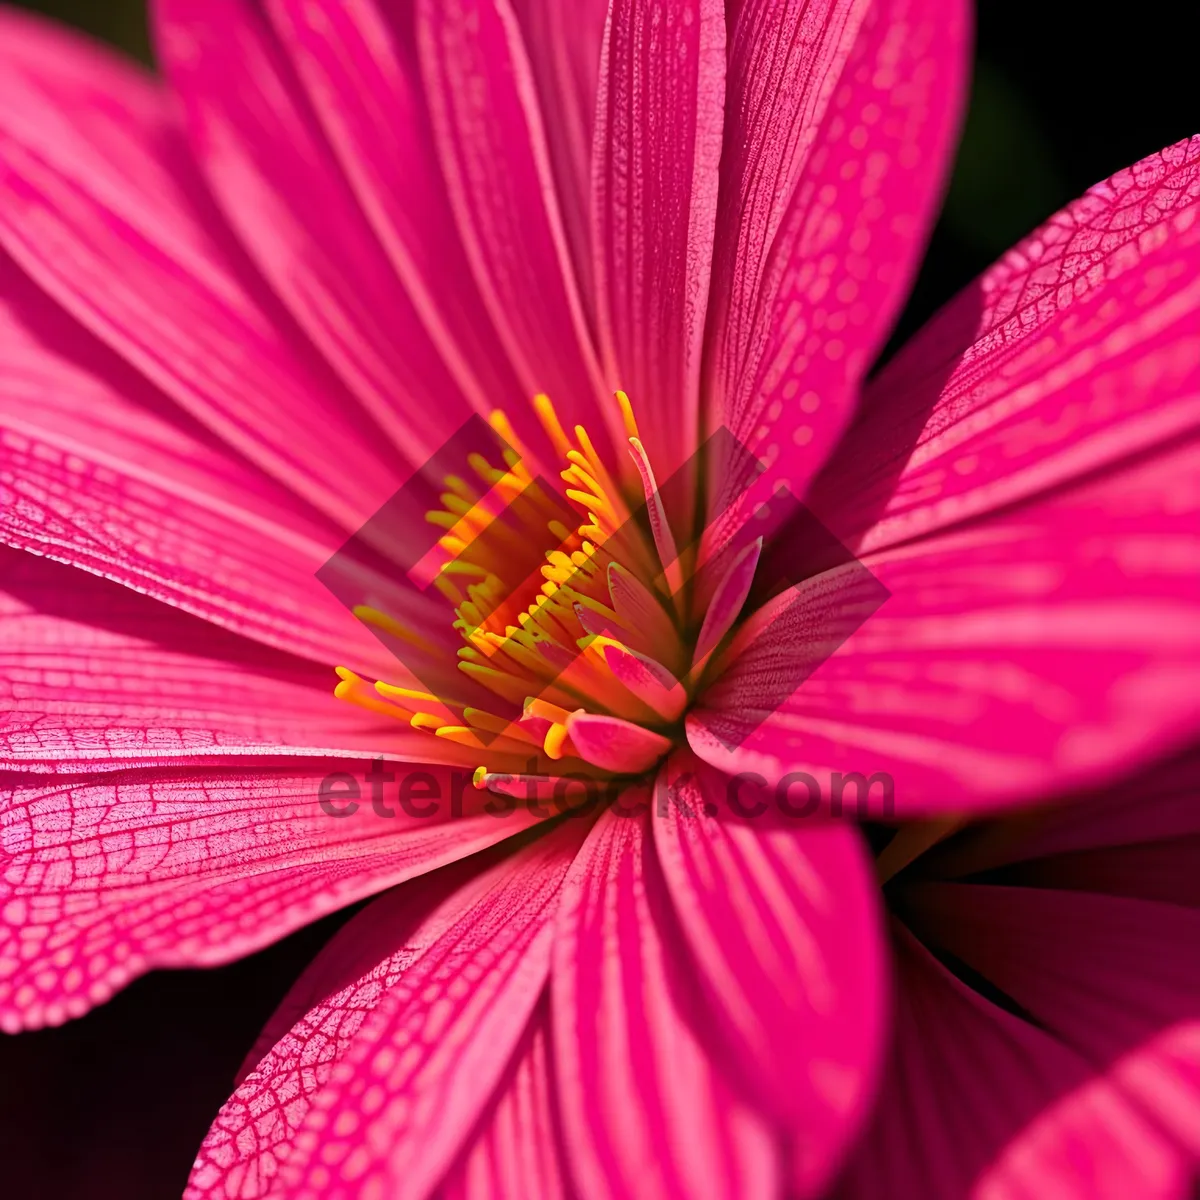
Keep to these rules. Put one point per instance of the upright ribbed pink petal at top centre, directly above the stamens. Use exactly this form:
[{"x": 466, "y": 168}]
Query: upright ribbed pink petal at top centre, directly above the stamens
[{"x": 656, "y": 155}]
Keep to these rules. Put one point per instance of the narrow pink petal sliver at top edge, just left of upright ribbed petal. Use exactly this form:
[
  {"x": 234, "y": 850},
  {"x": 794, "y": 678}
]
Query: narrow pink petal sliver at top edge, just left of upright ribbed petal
[{"x": 566, "y": 44}]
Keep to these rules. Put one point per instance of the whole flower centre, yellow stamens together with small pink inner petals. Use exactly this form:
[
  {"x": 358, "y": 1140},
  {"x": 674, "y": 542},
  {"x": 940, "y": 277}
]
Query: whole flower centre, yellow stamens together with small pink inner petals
[{"x": 595, "y": 661}]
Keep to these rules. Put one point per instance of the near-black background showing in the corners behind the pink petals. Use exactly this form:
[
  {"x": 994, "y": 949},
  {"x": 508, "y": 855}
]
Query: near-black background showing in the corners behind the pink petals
[{"x": 115, "y": 1106}]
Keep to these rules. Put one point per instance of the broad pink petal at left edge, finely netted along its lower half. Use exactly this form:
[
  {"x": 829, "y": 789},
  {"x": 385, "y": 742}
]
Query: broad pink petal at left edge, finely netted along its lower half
[{"x": 94, "y": 476}]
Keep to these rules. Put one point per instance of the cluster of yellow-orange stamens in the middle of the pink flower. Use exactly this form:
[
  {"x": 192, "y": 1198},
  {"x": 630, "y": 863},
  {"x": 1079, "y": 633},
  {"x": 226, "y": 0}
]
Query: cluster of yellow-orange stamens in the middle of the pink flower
[{"x": 523, "y": 638}]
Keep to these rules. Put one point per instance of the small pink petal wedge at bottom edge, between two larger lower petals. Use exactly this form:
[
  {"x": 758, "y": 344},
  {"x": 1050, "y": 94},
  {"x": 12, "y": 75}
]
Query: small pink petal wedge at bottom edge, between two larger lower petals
[{"x": 517, "y": 1154}]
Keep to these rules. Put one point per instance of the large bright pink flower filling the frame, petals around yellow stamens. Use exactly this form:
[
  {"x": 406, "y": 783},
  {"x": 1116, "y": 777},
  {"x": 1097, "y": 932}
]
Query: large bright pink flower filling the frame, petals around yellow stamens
[{"x": 241, "y": 309}]
